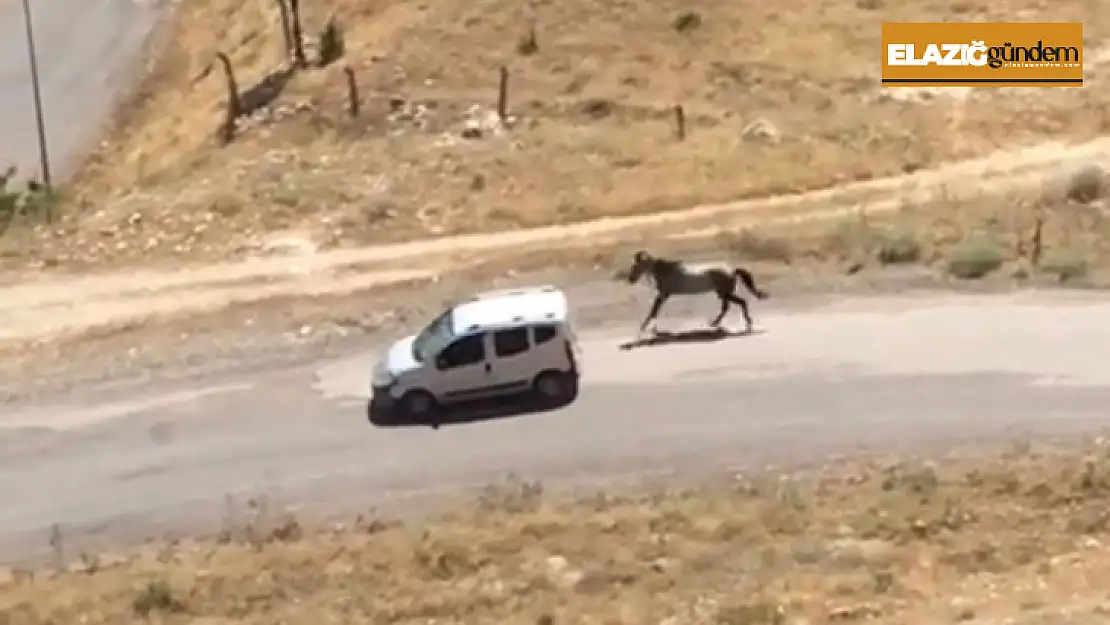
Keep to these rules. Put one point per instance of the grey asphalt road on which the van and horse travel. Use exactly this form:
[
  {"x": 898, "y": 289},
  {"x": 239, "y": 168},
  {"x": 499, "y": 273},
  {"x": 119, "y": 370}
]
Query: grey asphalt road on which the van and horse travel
[{"x": 875, "y": 374}]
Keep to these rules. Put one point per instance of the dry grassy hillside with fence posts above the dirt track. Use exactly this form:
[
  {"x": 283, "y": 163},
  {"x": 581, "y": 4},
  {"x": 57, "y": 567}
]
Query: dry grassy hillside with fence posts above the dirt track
[{"x": 593, "y": 133}]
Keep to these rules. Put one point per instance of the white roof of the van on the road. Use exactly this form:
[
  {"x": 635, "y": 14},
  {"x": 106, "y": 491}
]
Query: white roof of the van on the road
[{"x": 511, "y": 307}]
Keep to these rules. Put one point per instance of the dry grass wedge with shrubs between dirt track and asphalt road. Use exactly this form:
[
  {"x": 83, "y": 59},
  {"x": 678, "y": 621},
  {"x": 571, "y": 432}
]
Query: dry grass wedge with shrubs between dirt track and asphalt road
[{"x": 972, "y": 237}]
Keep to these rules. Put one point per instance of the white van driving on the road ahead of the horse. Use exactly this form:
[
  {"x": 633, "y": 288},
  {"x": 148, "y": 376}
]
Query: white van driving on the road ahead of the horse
[{"x": 511, "y": 342}]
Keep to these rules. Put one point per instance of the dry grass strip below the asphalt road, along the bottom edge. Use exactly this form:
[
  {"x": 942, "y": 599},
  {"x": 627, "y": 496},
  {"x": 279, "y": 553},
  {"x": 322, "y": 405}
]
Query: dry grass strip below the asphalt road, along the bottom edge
[{"x": 1017, "y": 536}]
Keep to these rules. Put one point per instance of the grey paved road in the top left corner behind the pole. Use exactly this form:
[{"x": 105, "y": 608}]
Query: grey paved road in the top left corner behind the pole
[{"x": 88, "y": 55}]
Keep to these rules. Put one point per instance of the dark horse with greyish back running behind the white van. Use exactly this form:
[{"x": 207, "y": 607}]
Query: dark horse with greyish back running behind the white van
[{"x": 680, "y": 278}]
